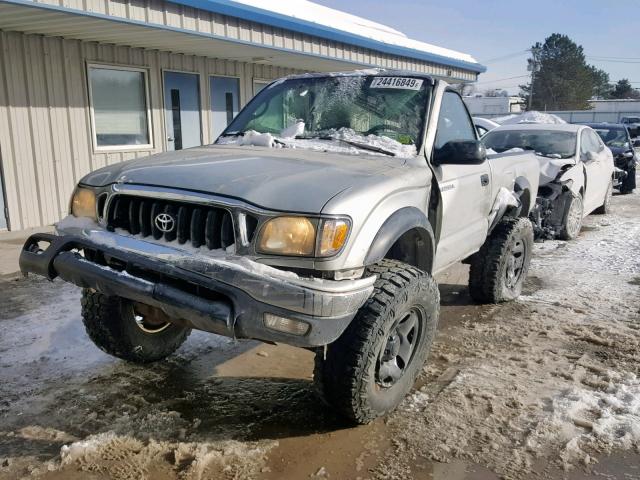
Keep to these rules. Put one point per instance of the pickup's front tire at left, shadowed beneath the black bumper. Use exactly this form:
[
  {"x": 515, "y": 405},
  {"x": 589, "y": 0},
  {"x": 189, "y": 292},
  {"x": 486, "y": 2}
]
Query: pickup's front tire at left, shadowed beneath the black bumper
[{"x": 111, "y": 324}]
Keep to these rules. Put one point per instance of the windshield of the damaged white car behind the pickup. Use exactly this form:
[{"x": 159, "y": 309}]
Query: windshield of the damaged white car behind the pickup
[{"x": 547, "y": 143}]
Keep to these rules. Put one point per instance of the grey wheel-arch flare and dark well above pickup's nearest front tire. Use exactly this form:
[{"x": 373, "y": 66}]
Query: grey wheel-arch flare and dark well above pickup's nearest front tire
[{"x": 410, "y": 229}]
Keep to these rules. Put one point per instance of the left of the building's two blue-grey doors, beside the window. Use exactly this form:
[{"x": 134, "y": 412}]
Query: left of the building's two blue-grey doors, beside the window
[{"x": 182, "y": 110}]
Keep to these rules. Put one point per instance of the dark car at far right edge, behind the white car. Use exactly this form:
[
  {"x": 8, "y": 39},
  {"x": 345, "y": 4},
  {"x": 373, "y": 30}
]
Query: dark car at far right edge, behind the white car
[{"x": 616, "y": 136}]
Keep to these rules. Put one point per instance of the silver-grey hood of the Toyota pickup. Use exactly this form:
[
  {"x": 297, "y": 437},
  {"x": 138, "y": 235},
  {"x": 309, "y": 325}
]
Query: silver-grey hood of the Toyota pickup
[{"x": 278, "y": 179}]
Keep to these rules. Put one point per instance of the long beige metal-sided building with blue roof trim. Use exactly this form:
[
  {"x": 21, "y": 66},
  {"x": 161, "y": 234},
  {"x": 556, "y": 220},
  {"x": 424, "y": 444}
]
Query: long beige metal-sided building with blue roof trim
[{"x": 51, "y": 50}]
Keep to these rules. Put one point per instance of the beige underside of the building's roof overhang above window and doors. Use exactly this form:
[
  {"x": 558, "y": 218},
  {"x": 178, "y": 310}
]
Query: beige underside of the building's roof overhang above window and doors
[{"x": 52, "y": 20}]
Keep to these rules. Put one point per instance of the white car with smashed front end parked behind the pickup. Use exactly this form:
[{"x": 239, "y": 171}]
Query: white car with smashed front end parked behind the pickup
[{"x": 576, "y": 173}]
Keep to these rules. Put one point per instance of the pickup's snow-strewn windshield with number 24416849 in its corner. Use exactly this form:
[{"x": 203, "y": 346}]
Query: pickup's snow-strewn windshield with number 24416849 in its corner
[{"x": 381, "y": 114}]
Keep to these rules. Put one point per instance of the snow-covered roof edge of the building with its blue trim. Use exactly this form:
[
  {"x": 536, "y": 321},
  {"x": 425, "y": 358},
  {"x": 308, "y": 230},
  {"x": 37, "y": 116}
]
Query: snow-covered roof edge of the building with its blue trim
[{"x": 324, "y": 22}]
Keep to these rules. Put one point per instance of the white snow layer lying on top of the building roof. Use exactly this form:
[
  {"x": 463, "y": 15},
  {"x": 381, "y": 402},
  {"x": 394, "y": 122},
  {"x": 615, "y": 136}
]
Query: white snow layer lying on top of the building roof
[{"x": 329, "y": 17}]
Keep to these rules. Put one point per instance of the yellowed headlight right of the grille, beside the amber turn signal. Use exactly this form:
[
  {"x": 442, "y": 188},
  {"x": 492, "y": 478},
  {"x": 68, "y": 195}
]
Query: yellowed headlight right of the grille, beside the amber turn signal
[{"x": 288, "y": 236}]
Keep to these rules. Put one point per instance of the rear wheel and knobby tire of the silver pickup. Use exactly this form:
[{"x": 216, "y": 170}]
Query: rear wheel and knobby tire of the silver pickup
[{"x": 499, "y": 269}]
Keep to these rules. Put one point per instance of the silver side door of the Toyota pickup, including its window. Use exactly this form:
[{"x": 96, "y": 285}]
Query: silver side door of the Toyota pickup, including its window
[{"x": 465, "y": 189}]
